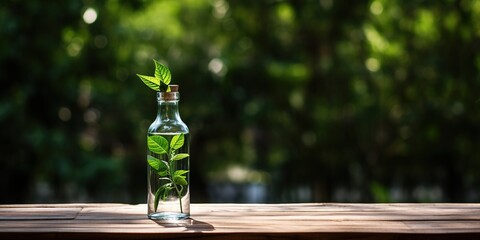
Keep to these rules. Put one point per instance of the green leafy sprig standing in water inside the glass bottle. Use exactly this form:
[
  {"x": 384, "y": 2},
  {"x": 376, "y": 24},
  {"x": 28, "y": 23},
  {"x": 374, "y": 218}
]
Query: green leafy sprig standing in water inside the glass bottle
[{"x": 176, "y": 178}]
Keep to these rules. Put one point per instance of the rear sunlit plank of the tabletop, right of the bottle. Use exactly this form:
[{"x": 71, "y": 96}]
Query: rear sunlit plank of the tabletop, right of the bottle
[{"x": 334, "y": 212}]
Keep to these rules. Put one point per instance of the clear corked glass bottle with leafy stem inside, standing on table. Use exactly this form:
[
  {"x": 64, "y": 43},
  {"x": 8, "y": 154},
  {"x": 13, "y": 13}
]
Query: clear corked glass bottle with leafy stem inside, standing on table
[{"x": 168, "y": 149}]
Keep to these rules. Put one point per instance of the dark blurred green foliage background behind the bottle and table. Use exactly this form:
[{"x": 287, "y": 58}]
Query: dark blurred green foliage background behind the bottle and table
[{"x": 326, "y": 100}]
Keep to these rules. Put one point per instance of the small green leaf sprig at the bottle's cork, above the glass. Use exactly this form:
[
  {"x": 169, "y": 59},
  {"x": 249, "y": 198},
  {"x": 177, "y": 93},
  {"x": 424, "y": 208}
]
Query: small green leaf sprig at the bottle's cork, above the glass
[{"x": 159, "y": 82}]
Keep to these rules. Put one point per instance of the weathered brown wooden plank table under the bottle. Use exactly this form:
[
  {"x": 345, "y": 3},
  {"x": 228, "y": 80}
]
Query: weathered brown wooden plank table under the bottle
[{"x": 244, "y": 221}]
